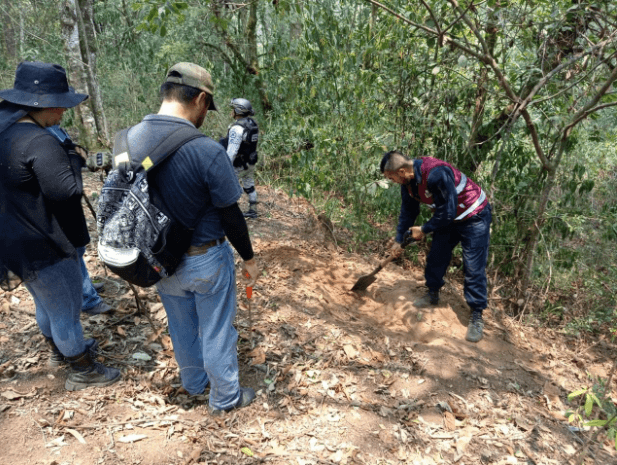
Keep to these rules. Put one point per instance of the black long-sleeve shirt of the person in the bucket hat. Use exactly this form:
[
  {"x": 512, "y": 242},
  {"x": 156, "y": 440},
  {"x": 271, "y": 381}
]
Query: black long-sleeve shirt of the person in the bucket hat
[{"x": 41, "y": 218}]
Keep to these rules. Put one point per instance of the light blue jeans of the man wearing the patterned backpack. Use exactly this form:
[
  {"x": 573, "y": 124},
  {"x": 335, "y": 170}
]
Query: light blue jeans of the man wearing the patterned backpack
[{"x": 200, "y": 301}]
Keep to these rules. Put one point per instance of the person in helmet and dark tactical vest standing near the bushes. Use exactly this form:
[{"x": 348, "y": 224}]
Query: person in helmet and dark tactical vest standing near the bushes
[{"x": 241, "y": 145}]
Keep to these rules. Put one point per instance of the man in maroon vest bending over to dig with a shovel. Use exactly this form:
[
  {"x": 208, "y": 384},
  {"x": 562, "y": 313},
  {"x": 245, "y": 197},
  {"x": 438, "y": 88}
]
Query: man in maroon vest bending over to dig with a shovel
[{"x": 461, "y": 213}]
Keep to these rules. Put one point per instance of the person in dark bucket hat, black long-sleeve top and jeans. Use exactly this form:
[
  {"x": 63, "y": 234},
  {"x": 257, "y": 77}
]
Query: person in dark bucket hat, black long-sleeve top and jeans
[{"x": 41, "y": 219}]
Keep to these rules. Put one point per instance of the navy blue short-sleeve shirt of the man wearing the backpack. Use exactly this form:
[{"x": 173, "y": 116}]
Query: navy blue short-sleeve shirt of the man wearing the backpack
[{"x": 194, "y": 182}]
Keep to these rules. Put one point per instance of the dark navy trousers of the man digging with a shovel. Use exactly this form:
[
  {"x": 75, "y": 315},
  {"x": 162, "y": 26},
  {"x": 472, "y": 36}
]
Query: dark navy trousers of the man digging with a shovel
[{"x": 474, "y": 236}]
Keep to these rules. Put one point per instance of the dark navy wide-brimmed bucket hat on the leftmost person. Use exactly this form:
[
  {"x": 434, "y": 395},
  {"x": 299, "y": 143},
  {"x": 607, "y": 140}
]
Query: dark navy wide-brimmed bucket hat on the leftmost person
[{"x": 42, "y": 85}]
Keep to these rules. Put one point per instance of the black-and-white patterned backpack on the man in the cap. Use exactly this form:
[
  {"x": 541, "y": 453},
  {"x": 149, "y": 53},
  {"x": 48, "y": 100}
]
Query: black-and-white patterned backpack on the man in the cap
[{"x": 138, "y": 240}]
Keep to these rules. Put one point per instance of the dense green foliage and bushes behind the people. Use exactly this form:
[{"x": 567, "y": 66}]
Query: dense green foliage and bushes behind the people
[{"x": 346, "y": 82}]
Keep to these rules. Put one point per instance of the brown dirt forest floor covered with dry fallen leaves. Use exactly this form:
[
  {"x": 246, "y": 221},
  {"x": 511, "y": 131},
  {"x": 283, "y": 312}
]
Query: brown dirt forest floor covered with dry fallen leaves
[{"x": 342, "y": 378}]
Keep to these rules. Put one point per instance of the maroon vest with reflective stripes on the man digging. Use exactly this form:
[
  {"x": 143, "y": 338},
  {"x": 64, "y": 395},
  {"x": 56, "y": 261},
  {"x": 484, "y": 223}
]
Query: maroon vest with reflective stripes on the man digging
[{"x": 471, "y": 198}]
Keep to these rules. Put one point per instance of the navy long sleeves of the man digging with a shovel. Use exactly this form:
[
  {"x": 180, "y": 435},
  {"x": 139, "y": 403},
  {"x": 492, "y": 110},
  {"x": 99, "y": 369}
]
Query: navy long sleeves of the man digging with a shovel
[{"x": 441, "y": 184}]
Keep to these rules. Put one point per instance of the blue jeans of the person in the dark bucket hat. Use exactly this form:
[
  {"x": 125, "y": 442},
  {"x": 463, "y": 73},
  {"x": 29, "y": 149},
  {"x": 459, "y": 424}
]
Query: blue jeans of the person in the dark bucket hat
[{"x": 57, "y": 295}]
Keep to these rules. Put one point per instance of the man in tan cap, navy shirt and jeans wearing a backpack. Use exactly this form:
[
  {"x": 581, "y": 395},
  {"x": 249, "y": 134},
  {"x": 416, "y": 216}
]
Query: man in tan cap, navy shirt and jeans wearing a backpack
[{"x": 196, "y": 186}]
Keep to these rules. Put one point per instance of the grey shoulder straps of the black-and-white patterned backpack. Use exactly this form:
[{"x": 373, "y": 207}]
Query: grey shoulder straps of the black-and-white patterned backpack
[{"x": 168, "y": 146}]
